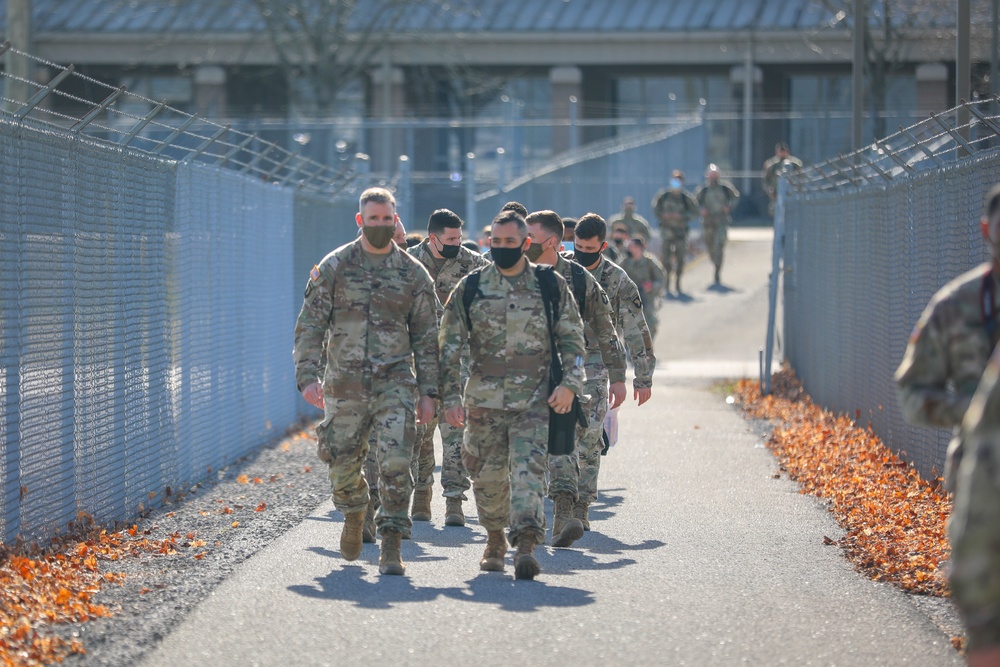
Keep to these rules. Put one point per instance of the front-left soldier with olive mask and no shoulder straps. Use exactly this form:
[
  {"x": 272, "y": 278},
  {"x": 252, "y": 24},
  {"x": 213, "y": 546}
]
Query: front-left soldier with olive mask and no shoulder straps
[{"x": 371, "y": 310}]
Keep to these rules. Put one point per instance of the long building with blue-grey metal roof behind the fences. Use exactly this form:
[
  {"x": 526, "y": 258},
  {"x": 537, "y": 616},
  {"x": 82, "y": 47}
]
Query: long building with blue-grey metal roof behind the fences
[{"x": 517, "y": 83}]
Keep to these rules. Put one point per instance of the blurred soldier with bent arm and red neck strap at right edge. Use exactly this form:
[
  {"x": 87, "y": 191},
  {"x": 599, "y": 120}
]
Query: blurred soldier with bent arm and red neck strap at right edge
[{"x": 951, "y": 344}]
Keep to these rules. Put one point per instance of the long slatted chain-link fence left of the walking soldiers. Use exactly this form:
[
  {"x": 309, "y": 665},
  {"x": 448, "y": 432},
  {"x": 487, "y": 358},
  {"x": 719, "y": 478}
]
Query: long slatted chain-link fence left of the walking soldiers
[{"x": 148, "y": 306}]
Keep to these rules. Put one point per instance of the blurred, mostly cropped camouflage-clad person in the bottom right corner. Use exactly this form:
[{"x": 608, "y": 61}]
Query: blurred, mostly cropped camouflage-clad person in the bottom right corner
[{"x": 973, "y": 528}]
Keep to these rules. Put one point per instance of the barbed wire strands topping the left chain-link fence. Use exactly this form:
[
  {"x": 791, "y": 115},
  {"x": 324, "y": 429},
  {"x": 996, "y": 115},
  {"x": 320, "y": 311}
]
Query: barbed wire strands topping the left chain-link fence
[{"x": 164, "y": 131}]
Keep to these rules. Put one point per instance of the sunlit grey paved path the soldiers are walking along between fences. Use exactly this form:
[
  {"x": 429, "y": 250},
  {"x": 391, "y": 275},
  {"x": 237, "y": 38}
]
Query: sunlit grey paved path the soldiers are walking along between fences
[{"x": 699, "y": 555}]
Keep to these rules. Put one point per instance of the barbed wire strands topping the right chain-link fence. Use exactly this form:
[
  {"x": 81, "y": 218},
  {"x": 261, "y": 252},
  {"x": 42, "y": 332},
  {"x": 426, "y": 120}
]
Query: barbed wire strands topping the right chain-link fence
[{"x": 931, "y": 142}]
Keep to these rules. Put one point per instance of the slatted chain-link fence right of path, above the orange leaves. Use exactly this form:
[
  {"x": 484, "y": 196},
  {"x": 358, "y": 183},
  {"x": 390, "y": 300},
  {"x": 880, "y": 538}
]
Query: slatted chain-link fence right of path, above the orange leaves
[{"x": 870, "y": 238}]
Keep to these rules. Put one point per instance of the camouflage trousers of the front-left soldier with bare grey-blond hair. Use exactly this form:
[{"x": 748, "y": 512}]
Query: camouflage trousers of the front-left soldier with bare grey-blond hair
[{"x": 345, "y": 435}]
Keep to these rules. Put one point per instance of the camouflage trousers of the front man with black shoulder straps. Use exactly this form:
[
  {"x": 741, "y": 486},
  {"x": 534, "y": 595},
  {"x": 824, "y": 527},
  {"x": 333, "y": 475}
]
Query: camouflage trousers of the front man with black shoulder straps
[{"x": 504, "y": 452}]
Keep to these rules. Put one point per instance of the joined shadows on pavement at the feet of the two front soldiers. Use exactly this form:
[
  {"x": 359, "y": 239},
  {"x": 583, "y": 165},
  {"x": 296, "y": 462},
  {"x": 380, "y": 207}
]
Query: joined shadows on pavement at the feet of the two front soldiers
[{"x": 350, "y": 584}]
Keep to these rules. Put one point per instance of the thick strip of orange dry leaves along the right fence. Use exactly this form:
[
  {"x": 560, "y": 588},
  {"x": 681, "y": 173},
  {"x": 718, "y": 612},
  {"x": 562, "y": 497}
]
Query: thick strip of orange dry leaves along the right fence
[{"x": 895, "y": 520}]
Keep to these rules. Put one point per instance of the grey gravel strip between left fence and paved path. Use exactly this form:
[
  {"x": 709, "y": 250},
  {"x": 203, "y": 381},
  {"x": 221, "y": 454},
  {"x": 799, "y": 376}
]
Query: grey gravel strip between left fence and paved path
[{"x": 160, "y": 590}]
